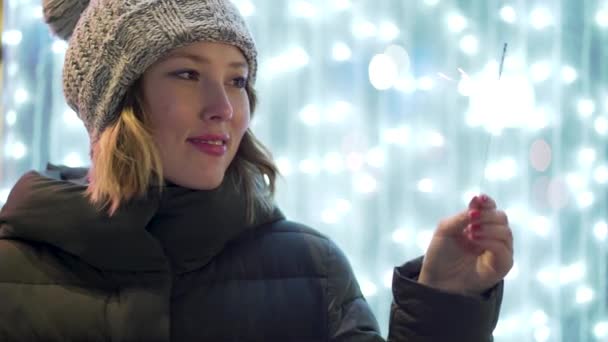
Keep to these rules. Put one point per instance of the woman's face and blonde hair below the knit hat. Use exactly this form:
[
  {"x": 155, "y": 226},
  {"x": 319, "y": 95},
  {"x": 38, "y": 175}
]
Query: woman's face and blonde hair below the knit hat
[{"x": 186, "y": 119}]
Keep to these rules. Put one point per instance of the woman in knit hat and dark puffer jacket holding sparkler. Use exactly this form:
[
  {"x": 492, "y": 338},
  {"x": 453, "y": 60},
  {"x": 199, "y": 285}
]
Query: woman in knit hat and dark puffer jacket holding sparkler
[{"x": 173, "y": 236}]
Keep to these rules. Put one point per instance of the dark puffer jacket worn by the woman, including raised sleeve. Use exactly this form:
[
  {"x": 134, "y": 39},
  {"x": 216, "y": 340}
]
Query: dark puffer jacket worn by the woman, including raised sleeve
[{"x": 184, "y": 266}]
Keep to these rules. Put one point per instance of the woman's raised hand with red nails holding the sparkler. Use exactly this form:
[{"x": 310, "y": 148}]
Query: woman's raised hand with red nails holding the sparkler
[{"x": 470, "y": 252}]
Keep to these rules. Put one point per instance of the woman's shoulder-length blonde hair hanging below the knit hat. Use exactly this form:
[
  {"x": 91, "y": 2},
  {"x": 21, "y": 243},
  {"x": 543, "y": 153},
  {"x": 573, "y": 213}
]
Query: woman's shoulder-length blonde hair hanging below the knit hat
[{"x": 126, "y": 162}]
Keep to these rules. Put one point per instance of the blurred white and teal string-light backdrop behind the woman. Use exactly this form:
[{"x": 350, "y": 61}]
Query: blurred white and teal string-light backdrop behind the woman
[{"x": 386, "y": 116}]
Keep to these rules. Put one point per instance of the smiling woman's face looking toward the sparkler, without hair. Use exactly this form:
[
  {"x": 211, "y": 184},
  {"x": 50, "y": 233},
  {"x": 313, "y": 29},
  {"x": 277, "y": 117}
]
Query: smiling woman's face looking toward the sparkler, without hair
[{"x": 198, "y": 108}]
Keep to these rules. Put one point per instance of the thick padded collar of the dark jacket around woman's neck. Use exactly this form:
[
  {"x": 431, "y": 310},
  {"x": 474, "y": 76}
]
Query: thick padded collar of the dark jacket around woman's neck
[{"x": 178, "y": 228}]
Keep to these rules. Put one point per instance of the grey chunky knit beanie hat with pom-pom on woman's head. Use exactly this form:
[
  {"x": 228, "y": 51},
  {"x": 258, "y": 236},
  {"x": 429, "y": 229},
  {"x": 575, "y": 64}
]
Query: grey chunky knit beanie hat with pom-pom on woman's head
[{"x": 112, "y": 43}]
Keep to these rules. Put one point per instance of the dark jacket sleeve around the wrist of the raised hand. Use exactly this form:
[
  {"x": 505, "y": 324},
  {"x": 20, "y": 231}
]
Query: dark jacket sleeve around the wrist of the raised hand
[{"x": 421, "y": 314}]
